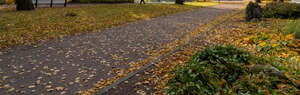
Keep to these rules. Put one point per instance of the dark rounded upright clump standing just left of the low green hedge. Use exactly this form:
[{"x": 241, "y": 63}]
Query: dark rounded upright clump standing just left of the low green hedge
[{"x": 253, "y": 11}]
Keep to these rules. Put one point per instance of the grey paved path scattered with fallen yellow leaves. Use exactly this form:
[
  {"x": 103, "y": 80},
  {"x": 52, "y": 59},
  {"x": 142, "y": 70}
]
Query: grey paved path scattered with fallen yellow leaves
[{"x": 70, "y": 64}]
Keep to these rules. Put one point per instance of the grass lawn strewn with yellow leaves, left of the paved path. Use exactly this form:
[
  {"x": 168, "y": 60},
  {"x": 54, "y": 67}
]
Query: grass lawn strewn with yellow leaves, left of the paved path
[{"x": 28, "y": 27}]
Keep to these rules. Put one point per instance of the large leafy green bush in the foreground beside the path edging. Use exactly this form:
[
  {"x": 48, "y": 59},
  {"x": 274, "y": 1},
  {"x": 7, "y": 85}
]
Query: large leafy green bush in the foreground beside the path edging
[{"x": 210, "y": 71}]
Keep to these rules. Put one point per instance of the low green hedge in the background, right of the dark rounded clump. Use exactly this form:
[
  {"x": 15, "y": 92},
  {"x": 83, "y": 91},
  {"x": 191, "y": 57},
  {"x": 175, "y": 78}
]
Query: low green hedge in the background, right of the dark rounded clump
[{"x": 281, "y": 10}]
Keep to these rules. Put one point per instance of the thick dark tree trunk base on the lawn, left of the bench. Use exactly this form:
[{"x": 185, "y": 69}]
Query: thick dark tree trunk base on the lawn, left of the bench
[{"x": 24, "y": 5}]
